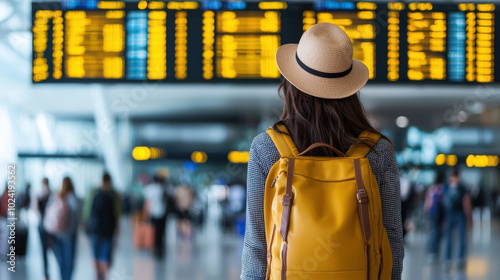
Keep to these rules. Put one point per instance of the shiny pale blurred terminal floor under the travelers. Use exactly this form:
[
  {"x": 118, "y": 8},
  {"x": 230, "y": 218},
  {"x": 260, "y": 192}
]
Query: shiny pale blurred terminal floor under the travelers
[{"x": 217, "y": 256}]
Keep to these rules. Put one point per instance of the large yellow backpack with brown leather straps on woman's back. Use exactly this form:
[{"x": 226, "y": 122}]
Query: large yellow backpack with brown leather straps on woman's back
[{"x": 323, "y": 215}]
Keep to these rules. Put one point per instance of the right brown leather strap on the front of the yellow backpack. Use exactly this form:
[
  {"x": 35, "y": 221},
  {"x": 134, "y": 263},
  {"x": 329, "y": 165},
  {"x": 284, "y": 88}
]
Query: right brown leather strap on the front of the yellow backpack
[{"x": 363, "y": 201}]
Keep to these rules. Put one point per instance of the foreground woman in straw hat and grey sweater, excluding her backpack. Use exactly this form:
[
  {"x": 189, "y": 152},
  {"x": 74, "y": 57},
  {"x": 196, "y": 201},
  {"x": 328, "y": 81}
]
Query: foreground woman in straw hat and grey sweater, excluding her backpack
[{"x": 320, "y": 90}]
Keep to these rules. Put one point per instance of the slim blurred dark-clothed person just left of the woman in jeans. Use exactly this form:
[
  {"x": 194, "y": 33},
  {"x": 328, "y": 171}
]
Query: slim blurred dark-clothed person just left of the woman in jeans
[{"x": 41, "y": 205}]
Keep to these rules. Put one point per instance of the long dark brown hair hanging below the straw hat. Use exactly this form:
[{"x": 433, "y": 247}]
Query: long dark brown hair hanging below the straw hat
[{"x": 310, "y": 120}]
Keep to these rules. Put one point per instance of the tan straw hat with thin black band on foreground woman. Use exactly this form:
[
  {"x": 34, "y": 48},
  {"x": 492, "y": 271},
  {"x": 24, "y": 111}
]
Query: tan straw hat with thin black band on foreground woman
[{"x": 321, "y": 64}]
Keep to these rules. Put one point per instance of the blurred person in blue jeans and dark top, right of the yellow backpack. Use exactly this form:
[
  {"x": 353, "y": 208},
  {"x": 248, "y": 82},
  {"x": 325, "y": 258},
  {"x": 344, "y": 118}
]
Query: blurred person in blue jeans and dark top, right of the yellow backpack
[{"x": 458, "y": 211}]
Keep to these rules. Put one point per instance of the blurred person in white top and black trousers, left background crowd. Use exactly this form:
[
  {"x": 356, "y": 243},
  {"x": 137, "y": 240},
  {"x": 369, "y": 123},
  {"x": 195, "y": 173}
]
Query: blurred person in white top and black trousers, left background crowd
[{"x": 155, "y": 210}]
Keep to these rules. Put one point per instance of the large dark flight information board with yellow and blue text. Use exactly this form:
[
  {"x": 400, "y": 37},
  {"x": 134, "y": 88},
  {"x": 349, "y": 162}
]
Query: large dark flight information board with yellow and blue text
[{"x": 236, "y": 41}]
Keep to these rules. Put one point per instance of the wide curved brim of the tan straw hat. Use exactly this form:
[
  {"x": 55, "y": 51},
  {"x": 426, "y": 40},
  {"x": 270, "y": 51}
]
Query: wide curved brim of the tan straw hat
[{"x": 329, "y": 88}]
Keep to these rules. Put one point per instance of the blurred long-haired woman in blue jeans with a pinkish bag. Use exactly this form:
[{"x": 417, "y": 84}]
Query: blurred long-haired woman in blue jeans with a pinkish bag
[{"x": 64, "y": 243}]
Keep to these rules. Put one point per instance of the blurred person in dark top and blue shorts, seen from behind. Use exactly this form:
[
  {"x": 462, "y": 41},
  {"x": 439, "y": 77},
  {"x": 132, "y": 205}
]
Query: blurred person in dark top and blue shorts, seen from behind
[{"x": 102, "y": 218}]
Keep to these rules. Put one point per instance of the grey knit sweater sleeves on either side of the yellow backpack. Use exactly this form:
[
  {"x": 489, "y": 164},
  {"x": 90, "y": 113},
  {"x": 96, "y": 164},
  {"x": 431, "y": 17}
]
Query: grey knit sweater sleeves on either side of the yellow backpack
[{"x": 263, "y": 154}]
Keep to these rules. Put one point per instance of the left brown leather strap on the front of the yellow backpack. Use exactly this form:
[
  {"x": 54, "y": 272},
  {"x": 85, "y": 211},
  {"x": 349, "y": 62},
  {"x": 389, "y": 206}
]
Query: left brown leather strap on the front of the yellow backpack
[{"x": 285, "y": 215}]
